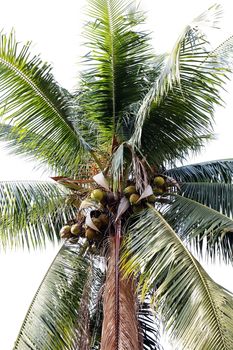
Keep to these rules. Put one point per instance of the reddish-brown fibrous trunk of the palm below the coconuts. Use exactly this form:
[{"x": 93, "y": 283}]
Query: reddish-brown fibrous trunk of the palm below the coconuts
[{"x": 120, "y": 325}]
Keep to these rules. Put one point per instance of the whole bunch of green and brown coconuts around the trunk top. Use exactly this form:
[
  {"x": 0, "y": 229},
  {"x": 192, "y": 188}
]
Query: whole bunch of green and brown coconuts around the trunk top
[{"x": 98, "y": 210}]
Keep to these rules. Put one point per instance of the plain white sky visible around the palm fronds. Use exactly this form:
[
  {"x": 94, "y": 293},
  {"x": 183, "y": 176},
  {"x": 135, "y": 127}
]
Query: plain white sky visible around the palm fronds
[{"x": 54, "y": 28}]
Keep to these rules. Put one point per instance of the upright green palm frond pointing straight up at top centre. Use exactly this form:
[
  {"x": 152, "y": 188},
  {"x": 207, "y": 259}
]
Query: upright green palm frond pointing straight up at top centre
[{"x": 118, "y": 59}]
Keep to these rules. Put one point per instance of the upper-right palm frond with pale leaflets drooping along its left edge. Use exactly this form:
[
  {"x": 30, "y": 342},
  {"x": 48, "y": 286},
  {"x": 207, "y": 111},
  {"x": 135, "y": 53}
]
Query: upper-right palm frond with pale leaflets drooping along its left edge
[{"x": 180, "y": 103}]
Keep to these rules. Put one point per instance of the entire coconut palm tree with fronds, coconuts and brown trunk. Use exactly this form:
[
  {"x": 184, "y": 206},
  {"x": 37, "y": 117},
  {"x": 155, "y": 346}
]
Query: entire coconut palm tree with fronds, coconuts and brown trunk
[{"x": 130, "y": 219}]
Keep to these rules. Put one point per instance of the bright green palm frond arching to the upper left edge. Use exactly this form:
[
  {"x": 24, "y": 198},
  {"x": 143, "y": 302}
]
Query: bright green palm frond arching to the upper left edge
[{"x": 37, "y": 108}]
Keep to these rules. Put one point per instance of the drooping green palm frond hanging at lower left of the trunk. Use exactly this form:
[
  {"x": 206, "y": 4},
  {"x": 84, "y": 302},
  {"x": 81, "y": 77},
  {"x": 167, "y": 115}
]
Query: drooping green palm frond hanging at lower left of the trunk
[{"x": 56, "y": 317}]
